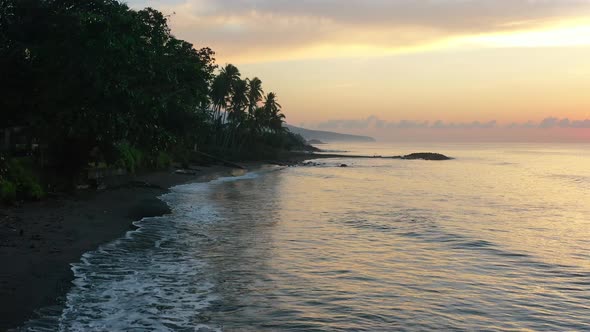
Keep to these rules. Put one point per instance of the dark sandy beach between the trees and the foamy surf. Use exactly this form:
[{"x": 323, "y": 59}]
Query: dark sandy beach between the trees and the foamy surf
[{"x": 39, "y": 241}]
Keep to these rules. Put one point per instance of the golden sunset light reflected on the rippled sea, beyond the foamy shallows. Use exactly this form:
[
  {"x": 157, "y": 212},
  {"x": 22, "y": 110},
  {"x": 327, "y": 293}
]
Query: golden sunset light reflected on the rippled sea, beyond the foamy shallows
[{"x": 492, "y": 239}]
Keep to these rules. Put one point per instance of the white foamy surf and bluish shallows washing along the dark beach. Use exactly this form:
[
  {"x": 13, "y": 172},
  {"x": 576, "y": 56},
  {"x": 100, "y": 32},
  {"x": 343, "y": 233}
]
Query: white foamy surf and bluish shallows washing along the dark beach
[{"x": 151, "y": 279}]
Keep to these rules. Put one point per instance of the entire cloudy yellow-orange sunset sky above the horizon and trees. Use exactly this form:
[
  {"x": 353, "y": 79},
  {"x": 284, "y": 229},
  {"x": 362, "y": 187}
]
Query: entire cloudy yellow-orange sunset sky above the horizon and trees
[{"x": 408, "y": 69}]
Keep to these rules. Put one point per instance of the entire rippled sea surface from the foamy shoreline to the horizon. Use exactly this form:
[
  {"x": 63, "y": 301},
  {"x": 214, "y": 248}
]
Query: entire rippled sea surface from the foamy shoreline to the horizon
[{"x": 497, "y": 239}]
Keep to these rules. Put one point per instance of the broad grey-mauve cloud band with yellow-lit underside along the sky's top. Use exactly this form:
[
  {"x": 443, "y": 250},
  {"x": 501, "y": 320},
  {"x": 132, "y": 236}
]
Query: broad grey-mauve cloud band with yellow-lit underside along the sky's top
[{"x": 274, "y": 29}]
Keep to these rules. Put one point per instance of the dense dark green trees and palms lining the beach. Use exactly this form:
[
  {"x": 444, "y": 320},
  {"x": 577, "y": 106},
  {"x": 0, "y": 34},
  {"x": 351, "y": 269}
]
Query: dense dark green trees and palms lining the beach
[{"x": 96, "y": 82}]
